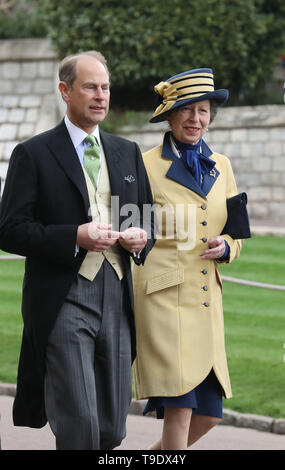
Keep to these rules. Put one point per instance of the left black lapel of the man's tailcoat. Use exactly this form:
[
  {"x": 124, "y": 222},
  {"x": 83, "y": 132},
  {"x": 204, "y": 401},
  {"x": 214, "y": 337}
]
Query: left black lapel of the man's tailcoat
[{"x": 63, "y": 150}]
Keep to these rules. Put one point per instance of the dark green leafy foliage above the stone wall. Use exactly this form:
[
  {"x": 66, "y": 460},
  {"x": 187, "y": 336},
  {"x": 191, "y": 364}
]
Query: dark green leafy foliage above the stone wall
[{"x": 148, "y": 41}]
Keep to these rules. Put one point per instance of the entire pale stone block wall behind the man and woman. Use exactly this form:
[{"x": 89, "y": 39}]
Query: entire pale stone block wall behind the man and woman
[{"x": 252, "y": 137}]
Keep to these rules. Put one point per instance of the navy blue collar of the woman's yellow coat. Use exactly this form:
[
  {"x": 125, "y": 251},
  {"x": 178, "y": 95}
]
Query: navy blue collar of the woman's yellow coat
[{"x": 178, "y": 173}]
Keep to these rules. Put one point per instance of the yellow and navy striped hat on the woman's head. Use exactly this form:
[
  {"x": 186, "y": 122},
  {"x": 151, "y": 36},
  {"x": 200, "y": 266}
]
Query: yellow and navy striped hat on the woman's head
[{"x": 186, "y": 88}]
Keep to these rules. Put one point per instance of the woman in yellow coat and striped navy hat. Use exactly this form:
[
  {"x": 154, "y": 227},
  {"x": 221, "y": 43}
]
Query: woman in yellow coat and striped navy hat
[{"x": 181, "y": 362}]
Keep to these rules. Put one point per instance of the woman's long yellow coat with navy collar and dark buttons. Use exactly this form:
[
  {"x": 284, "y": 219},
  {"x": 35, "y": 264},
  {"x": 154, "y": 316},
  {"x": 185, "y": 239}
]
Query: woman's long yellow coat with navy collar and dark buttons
[{"x": 178, "y": 296}]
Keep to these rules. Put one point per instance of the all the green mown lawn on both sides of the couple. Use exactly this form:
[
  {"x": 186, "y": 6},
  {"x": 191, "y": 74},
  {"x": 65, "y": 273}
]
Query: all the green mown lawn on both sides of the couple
[{"x": 254, "y": 326}]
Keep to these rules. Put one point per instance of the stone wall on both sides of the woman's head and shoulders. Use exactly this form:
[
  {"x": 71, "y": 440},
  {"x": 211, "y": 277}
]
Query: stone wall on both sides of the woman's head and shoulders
[{"x": 254, "y": 140}]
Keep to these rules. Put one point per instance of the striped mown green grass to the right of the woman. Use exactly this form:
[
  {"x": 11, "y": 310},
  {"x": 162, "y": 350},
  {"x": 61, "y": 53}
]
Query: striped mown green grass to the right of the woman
[{"x": 255, "y": 328}]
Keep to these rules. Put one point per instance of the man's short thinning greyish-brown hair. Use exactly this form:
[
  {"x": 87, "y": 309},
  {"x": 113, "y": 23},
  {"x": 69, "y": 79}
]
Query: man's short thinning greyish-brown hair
[{"x": 67, "y": 67}]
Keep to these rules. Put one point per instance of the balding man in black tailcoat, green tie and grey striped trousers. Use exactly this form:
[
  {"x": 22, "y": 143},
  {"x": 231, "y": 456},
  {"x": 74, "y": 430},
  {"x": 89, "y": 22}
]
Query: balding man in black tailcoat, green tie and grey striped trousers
[{"x": 78, "y": 338}]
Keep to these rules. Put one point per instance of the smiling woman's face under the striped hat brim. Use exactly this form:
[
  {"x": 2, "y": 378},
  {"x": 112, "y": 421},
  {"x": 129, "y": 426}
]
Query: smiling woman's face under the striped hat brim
[{"x": 189, "y": 123}]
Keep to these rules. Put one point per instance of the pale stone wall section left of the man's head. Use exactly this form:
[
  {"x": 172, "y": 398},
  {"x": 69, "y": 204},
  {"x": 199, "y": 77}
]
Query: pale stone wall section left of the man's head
[{"x": 27, "y": 93}]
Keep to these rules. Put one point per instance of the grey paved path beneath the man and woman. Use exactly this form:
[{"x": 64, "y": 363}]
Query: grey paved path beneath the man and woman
[{"x": 141, "y": 432}]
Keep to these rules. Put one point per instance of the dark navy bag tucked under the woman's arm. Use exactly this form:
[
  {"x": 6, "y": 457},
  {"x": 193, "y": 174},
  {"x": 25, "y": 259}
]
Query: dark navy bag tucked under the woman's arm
[{"x": 237, "y": 225}]
